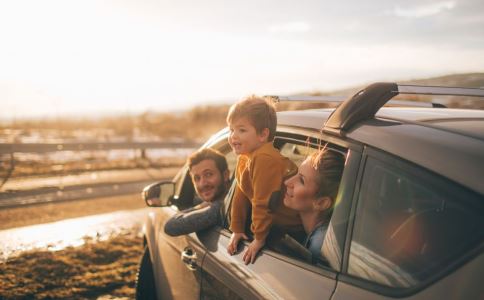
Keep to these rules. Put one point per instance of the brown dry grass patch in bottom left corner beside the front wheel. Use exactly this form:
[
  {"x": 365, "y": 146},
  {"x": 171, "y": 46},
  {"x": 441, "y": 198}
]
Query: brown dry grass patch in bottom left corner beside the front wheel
[{"x": 99, "y": 269}]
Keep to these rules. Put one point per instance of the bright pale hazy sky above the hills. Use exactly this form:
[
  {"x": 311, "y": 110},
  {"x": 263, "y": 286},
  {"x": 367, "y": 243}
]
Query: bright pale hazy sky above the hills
[{"x": 62, "y": 58}]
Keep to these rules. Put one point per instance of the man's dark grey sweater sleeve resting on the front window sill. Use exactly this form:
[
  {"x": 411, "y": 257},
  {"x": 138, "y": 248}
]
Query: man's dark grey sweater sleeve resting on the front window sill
[{"x": 193, "y": 219}]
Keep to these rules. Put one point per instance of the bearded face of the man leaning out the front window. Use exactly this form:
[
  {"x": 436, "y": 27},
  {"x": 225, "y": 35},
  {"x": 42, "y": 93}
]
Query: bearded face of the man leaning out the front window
[{"x": 207, "y": 179}]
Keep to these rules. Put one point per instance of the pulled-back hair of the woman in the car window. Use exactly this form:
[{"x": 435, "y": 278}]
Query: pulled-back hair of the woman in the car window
[{"x": 329, "y": 166}]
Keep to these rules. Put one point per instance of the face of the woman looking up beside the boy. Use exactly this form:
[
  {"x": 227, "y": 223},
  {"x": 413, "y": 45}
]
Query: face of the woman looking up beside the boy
[{"x": 301, "y": 188}]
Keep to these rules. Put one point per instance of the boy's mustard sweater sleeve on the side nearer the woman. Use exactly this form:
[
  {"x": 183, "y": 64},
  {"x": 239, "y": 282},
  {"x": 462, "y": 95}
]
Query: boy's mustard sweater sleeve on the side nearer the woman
[{"x": 266, "y": 178}]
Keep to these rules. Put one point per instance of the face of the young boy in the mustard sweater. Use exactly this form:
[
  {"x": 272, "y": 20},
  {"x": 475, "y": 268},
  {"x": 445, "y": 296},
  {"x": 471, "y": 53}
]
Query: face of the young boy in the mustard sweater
[{"x": 244, "y": 138}]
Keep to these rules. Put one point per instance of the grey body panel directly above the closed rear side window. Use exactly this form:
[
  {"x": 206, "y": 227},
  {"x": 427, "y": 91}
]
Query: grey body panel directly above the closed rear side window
[{"x": 449, "y": 154}]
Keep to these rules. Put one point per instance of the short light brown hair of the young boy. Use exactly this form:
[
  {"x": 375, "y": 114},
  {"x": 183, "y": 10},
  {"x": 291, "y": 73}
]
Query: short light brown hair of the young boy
[{"x": 258, "y": 110}]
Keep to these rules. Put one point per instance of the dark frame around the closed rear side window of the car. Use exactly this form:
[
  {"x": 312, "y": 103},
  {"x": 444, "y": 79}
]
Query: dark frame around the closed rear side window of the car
[{"x": 435, "y": 179}]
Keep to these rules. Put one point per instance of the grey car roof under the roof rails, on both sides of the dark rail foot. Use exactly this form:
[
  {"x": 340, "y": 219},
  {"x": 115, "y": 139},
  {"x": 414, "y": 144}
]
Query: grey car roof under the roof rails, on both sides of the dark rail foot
[{"x": 446, "y": 141}]
